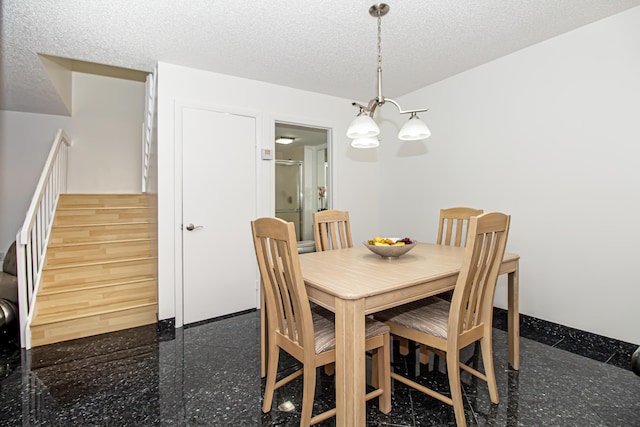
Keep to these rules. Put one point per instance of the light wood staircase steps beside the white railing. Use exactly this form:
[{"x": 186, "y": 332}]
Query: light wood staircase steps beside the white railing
[{"x": 99, "y": 271}]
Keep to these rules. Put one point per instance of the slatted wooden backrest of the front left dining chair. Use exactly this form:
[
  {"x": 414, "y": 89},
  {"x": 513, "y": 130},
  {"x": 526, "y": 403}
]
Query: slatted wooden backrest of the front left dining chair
[{"x": 287, "y": 303}]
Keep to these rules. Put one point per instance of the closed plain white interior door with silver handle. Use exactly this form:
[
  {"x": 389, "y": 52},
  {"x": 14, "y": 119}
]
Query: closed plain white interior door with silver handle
[{"x": 218, "y": 203}]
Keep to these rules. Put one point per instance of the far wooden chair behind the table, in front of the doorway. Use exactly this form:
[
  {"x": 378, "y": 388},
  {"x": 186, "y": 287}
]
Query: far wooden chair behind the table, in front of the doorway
[{"x": 332, "y": 230}]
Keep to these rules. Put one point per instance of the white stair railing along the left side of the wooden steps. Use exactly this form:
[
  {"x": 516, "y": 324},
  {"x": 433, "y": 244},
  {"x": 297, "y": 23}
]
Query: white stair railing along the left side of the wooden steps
[{"x": 32, "y": 238}]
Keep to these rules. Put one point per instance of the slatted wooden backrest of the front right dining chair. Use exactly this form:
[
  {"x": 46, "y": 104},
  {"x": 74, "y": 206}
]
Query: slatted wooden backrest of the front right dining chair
[{"x": 472, "y": 301}]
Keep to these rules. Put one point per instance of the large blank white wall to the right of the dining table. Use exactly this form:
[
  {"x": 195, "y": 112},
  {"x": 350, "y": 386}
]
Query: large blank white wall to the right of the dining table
[{"x": 548, "y": 134}]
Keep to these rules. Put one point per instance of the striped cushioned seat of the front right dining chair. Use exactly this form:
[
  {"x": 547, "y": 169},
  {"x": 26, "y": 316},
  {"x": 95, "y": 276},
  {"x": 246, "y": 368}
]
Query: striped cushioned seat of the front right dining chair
[{"x": 429, "y": 316}]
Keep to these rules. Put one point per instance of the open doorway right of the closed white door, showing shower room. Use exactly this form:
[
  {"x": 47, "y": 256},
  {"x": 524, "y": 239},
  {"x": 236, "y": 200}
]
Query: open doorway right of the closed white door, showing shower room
[{"x": 302, "y": 183}]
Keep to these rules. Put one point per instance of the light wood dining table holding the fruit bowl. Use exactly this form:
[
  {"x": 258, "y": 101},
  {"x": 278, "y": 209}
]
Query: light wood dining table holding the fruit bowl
[{"x": 355, "y": 282}]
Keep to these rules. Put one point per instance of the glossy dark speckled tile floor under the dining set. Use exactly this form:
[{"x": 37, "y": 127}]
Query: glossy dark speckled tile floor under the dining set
[{"x": 208, "y": 375}]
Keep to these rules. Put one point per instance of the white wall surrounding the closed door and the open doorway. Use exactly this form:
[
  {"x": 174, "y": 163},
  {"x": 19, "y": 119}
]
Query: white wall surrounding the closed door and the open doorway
[{"x": 355, "y": 170}]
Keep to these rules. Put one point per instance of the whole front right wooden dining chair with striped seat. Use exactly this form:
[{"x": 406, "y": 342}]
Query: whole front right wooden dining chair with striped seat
[{"x": 450, "y": 326}]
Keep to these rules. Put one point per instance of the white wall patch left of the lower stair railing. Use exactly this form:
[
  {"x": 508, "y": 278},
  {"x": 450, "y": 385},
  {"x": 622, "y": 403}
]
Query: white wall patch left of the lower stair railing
[{"x": 25, "y": 141}]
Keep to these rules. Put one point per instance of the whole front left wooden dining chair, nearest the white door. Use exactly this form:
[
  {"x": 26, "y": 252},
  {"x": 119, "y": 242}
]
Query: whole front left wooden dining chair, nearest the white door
[{"x": 306, "y": 334}]
